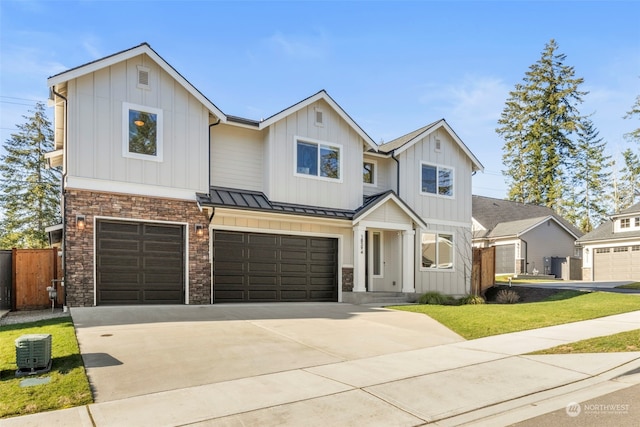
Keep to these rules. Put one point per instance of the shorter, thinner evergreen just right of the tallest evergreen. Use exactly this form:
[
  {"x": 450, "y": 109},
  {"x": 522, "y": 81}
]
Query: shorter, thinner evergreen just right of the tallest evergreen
[{"x": 591, "y": 177}]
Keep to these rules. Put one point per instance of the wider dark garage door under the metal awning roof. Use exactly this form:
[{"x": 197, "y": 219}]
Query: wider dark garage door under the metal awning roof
[{"x": 256, "y": 267}]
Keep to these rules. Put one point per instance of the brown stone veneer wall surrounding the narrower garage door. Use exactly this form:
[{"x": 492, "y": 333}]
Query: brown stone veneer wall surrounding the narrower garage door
[{"x": 79, "y": 244}]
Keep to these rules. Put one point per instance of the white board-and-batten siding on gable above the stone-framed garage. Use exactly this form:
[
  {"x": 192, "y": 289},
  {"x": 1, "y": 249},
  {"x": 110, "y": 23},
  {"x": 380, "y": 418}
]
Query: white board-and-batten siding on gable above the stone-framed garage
[{"x": 96, "y": 131}]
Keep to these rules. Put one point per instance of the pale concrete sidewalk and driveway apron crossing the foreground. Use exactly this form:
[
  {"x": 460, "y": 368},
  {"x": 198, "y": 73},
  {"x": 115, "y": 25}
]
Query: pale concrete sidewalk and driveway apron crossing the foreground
[{"x": 487, "y": 381}]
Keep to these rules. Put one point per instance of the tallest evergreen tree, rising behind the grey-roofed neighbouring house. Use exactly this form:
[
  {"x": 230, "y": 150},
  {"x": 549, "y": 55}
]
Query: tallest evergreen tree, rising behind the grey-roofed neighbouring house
[{"x": 537, "y": 125}]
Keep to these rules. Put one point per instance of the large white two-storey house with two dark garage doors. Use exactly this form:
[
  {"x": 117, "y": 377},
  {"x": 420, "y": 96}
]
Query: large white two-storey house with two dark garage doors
[{"x": 168, "y": 200}]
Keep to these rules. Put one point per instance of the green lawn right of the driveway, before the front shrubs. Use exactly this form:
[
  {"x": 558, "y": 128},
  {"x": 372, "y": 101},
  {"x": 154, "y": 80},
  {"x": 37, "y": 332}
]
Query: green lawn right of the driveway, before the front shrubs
[{"x": 476, "y": 321}]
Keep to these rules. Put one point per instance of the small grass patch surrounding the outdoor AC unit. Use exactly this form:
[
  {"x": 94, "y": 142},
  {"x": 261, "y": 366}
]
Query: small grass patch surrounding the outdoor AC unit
[{"x": 68, "y": 384}]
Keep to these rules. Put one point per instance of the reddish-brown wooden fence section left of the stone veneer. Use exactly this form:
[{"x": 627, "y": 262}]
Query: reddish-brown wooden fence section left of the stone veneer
[{"x": 33, "y": 270}]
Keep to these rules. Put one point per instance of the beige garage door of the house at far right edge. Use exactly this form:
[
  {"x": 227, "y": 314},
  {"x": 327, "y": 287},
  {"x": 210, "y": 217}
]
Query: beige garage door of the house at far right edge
[{"x": 617, "y": 263}]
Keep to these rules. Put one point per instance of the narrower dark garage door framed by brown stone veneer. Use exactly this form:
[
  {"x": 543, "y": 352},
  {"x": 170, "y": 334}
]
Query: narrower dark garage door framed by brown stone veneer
[{"x": 139, "y": 263}]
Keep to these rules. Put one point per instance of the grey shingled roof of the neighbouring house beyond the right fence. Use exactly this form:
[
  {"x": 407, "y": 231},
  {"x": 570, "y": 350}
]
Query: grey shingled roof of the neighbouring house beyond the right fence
[{"x": 501, "y": 218}]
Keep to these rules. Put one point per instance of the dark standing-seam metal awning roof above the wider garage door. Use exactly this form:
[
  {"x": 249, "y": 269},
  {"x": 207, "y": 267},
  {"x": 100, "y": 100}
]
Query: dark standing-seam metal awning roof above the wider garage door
[{"x": 257, "y": 201}]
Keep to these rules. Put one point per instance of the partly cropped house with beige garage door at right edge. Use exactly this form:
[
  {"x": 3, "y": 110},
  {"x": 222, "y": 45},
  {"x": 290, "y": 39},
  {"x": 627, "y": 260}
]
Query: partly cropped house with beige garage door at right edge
[{"x": 612, "y": 250}]
